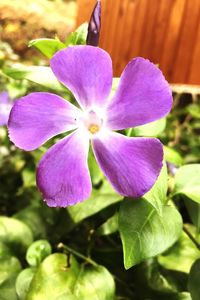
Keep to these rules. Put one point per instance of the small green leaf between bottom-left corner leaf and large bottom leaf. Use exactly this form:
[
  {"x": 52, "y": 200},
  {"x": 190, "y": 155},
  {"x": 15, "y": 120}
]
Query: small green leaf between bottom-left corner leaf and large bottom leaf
[{"x": 23, "y": 282}]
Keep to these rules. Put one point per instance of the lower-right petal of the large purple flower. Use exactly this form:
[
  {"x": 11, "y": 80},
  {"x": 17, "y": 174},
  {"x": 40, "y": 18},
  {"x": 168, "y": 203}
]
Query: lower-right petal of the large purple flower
[{"x": 132, "y": 165}]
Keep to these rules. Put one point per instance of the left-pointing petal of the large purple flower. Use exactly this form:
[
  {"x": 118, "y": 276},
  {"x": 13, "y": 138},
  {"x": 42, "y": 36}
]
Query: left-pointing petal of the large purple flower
[{"x": 39, "y": 116}]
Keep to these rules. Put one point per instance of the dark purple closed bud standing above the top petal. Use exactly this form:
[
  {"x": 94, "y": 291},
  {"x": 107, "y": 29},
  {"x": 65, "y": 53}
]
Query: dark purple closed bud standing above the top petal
[{"x": 94, "y": 26}]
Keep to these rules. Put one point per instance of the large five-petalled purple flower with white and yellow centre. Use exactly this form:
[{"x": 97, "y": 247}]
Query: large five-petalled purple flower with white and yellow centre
[{"x": 132, "y": 165}]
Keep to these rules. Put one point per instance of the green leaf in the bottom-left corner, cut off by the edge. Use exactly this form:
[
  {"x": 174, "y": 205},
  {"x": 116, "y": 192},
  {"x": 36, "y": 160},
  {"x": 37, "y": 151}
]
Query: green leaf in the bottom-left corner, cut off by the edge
[{"x": 9, "y": 269}]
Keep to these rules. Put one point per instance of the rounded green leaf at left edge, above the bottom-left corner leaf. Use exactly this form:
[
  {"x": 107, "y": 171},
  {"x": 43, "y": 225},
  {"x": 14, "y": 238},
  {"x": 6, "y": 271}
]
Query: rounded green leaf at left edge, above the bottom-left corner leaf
[{"x": 15, "y": 234}]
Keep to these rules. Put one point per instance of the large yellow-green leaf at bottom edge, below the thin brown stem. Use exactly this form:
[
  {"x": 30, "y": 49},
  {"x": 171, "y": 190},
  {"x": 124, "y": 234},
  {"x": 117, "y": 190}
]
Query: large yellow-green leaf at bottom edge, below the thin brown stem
[{"x": 61, "y": 277}]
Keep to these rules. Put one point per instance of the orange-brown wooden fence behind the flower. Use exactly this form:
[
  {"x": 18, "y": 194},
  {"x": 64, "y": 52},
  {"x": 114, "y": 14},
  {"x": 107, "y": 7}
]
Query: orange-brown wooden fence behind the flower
[{"x": 165, "y": 31}]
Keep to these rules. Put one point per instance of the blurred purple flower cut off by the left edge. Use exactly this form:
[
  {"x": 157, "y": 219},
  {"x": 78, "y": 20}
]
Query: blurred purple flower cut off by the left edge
[{"x": 5, "y": 108}]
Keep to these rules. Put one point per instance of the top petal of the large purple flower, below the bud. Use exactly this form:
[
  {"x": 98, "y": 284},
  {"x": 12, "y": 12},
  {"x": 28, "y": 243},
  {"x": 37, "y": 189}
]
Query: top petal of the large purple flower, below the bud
[{"x": 86, "y": 71}]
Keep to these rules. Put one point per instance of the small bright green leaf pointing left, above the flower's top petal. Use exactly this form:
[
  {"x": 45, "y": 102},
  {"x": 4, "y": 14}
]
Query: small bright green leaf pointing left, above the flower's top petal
[{"x": 48, "y": 47}]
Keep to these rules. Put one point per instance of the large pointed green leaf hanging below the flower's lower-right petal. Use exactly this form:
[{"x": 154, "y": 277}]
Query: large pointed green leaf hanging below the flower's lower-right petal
[{"x": 144, "y": 232}]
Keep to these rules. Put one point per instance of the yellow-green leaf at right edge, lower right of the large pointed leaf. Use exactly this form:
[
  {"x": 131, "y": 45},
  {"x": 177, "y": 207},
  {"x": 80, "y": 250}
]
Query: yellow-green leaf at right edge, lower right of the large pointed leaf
[{"x": 181, "y": 255}]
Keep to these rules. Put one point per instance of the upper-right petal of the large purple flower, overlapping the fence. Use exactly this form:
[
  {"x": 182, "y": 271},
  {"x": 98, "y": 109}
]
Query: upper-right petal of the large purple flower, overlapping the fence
[{"x": 143, "y": 96}]
